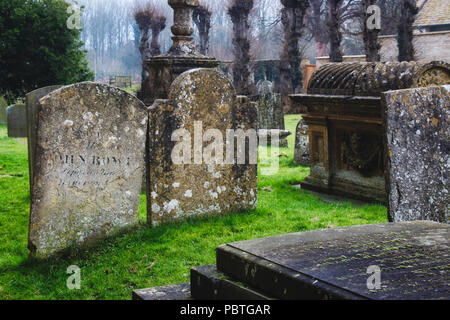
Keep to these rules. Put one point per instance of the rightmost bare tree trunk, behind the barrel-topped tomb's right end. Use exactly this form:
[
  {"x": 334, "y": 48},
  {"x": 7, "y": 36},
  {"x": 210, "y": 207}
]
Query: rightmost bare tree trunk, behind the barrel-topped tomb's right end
[{"x": 405, "y": 30}]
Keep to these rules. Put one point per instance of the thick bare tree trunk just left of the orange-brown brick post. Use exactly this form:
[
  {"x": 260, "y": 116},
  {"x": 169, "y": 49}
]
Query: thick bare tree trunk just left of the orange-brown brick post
[{"x": 292, "y": 16}]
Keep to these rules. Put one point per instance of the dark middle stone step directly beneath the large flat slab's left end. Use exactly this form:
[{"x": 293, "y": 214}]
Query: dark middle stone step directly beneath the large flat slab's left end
[{"x": 209, "y": 284}]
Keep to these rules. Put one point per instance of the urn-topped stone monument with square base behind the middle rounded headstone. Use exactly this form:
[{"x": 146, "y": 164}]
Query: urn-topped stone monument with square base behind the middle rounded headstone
[{"x": 183, "y": 55}]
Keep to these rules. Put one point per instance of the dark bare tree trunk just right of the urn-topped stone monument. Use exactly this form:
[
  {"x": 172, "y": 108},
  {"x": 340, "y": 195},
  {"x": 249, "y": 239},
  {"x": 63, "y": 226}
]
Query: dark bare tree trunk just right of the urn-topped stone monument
[{"x": 239, "y": 11}]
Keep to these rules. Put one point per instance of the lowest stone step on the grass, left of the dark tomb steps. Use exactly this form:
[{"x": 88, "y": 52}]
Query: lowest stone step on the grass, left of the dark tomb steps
[{"x": 172, "y": 292}]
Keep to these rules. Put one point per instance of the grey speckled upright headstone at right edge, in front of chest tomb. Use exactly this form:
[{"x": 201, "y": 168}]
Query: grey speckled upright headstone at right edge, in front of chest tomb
[{"x": 417, "y": 135}]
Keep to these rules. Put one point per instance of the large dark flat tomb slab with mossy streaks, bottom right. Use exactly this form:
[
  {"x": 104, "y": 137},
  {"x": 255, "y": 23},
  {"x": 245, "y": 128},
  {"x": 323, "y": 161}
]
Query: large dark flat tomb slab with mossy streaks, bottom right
[{"x": 332, "y": 264}]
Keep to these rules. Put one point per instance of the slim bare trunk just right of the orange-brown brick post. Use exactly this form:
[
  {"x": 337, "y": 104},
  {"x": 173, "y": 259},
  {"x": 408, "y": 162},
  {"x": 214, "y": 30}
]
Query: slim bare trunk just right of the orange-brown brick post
[{"x": 334, "y": 30}]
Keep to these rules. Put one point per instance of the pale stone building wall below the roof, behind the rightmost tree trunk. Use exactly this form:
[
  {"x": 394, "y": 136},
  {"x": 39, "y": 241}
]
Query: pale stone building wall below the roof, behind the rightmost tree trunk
[{"x": 432, "y": 46}]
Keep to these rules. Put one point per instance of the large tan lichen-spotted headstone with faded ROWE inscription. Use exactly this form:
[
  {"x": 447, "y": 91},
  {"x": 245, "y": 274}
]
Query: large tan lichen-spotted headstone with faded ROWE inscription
[{"x": 88, "y": 166}]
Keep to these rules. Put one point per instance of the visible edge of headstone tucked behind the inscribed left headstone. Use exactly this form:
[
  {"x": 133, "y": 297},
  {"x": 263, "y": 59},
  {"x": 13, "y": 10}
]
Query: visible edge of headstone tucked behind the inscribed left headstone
[{"x": 32, "y": 99}]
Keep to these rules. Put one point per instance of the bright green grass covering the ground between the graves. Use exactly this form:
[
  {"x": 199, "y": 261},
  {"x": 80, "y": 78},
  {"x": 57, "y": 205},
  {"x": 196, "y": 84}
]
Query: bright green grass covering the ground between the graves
[{"x": 160, "y": 256}]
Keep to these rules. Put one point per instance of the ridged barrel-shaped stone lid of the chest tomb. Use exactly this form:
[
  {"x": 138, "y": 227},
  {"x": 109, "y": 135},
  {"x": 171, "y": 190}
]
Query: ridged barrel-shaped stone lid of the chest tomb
[{"x": 371, "y": 79}]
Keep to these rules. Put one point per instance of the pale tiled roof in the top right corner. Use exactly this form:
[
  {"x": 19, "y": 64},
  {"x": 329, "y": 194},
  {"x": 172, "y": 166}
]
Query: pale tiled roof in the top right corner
[{"x": 433, "y": 12}]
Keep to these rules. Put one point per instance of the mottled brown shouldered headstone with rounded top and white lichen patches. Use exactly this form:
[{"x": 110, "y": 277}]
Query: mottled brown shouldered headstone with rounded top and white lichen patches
[{"x": 201, "y": 108}]
